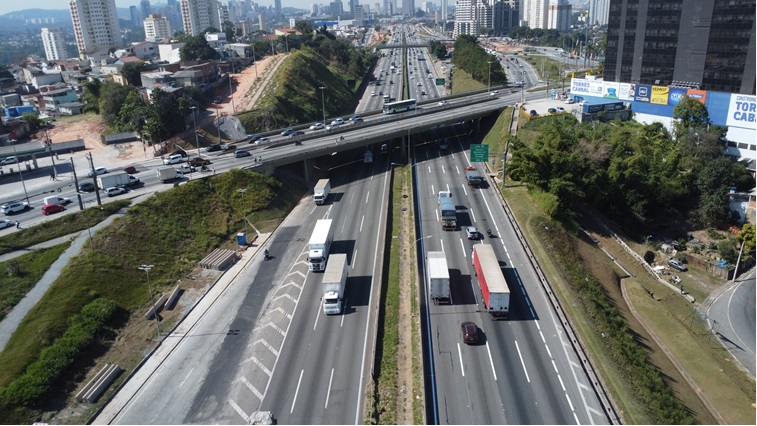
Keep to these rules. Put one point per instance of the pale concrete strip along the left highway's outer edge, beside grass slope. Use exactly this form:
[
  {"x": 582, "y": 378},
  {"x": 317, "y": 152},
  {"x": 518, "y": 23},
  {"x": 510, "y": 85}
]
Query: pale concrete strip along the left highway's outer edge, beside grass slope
[{"x": 152, "y": 362}]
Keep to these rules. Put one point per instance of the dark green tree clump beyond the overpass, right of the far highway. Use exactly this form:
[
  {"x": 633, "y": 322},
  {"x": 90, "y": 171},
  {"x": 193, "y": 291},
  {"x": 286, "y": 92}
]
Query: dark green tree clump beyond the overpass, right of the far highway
[{"x": 473, "y": 59}]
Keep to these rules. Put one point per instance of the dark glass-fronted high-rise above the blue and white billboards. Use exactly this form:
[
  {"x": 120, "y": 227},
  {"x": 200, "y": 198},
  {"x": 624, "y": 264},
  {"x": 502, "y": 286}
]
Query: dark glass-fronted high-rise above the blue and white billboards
[{"x": 704, "y": 43}]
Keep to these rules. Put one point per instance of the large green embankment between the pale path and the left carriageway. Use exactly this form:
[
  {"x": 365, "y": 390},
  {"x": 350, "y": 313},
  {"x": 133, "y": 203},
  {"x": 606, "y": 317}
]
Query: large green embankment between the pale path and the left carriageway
[{"x": 172, "y": 230}]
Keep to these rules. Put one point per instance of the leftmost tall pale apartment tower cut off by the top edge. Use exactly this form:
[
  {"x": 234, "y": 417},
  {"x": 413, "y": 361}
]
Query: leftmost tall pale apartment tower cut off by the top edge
[{"x": 95, "y": 24}]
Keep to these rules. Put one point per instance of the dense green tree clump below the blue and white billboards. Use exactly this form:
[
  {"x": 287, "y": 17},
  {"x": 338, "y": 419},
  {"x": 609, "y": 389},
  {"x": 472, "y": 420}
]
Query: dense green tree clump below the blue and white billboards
[{"x": 633, "y": 172}]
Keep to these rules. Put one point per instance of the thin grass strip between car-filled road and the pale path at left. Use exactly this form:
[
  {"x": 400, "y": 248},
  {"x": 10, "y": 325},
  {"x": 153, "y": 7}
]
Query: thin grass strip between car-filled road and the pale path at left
[{"x": 64, "y": 225}]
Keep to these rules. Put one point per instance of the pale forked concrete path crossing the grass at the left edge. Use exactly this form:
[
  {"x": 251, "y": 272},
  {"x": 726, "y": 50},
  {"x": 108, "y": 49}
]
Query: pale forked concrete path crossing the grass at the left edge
[{"x": 9, "y": 324}]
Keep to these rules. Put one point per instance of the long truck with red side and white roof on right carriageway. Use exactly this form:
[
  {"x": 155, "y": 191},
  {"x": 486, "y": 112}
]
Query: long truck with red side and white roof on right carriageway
[{"x": 494, "y": 290}]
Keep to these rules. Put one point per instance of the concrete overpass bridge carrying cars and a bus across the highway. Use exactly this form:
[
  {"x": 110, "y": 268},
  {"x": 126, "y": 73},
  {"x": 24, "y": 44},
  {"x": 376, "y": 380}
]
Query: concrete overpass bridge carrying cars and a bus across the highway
[{"x": 384, "y": 129}]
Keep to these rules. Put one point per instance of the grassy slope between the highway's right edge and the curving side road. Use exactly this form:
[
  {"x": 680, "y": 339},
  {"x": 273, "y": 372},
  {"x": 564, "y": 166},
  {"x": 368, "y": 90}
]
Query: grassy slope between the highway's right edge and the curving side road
[{"x": 729, "y": 390}]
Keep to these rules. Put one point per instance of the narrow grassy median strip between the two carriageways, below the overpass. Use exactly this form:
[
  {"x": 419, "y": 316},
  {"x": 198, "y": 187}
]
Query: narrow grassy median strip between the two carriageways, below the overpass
[{"x": 386, "y": 401}]
